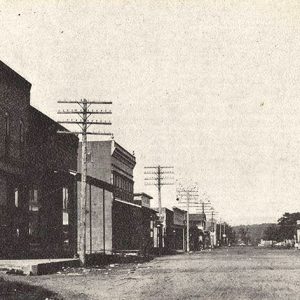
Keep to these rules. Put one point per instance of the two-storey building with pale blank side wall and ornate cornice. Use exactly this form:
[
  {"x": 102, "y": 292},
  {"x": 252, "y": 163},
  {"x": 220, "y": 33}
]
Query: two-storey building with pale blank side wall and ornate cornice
[{"x": 111, "y": 163}]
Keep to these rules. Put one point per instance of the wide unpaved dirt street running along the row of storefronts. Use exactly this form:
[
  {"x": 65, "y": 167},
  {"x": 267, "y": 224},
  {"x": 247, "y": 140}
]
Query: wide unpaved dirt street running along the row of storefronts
[{"x": 234, "y": 273}]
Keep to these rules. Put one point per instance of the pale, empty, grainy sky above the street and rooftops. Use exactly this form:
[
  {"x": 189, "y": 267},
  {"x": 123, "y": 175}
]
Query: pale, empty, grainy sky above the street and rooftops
[{"x": 211, "y": 87}]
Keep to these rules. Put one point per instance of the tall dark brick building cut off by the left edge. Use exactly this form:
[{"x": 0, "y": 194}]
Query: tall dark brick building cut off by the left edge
[{"x": 14, "y": 113}]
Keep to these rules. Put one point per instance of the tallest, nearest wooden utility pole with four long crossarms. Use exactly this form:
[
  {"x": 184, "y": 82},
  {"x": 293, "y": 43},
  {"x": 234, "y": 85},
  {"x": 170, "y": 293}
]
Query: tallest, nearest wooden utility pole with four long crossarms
[{"x": 84, "y": 123}]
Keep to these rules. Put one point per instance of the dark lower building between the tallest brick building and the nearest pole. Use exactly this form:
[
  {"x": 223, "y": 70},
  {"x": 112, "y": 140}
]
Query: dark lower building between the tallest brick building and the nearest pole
[{"x": 52, "y": 190}]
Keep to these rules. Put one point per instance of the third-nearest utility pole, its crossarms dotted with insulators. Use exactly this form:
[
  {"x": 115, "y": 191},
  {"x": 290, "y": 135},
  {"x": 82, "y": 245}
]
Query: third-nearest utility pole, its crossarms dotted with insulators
[{"x": 184, "y": 196}]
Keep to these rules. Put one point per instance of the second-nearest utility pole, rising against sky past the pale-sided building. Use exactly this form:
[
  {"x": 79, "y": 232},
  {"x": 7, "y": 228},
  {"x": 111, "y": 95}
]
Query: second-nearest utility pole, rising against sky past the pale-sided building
[{"x": 158, "y": 180}]
